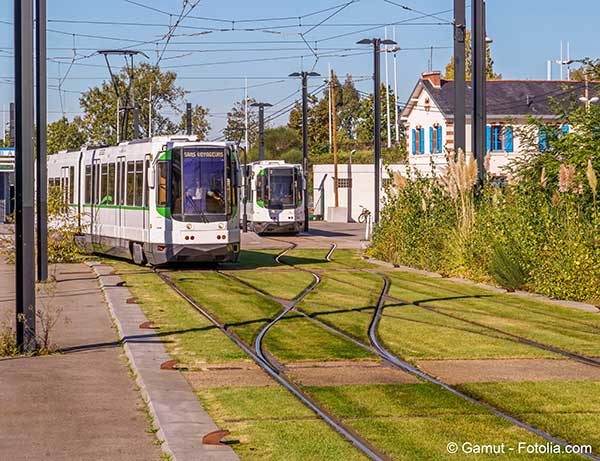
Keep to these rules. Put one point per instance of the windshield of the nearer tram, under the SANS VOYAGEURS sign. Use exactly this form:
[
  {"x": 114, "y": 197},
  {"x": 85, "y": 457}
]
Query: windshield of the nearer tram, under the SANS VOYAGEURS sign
[{"x": 199, "y": 183}]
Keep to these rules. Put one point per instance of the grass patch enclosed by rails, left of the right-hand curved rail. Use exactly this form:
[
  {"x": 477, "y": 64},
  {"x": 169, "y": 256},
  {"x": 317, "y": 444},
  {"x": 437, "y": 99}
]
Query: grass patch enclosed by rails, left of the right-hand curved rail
[{"x": 345, "y": 300}]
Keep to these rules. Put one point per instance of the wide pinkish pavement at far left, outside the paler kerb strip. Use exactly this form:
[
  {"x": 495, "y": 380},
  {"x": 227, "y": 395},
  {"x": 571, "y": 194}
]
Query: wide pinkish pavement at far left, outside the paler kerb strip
[{"x": 81, "y": 404}]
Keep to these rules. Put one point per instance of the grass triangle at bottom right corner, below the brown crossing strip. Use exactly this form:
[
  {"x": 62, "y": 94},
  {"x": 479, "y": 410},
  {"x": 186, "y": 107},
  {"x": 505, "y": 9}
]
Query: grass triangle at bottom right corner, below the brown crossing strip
[{"x": 568, "y": 410}]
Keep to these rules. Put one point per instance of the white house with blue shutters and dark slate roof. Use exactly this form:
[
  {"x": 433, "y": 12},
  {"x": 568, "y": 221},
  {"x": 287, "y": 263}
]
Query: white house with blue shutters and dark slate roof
[{"x": 428, "y": 117}]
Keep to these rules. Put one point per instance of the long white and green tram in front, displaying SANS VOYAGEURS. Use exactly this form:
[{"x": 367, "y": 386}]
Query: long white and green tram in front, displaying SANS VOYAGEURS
[{"x": 158, "y": 200}]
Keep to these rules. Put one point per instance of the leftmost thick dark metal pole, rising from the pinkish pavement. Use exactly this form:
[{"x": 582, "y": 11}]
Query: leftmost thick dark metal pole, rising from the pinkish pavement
[{"x": 24, "y": 187}]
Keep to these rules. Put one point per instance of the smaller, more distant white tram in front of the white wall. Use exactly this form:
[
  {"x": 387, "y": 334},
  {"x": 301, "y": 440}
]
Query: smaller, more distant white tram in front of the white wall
[{"x": 274, "y": 197}]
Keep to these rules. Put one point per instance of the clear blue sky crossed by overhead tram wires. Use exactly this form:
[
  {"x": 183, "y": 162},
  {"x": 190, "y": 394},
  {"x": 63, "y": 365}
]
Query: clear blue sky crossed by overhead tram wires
[{"x": 526, "y": 34}]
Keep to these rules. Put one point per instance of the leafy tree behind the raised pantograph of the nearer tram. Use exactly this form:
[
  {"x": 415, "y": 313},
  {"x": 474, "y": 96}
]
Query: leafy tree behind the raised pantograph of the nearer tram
[{"x": 100, "y": 104}]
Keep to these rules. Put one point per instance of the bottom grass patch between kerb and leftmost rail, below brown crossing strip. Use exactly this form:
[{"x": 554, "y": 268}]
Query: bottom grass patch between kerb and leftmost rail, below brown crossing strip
[{"x": 271, "y": 424}]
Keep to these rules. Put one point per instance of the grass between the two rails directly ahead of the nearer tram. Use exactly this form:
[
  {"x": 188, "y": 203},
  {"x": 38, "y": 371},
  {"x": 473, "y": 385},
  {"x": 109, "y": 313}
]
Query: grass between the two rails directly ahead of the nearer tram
[{"x": 243, "y": 310}]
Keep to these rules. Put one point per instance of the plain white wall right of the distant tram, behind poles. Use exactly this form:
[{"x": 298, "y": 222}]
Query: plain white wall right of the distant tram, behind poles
[{"x": 361, "y": 193}]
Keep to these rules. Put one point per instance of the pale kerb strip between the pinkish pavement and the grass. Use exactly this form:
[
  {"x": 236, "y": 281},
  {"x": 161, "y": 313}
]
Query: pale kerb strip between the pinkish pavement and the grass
[{"x": 181, "y": 420}]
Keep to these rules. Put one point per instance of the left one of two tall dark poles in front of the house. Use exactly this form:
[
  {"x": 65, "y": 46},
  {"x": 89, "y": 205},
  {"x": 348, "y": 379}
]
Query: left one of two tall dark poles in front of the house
[{"x": 460, "y": 20}]
